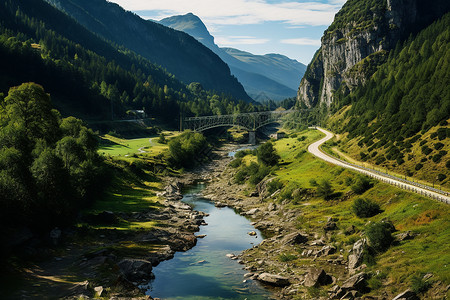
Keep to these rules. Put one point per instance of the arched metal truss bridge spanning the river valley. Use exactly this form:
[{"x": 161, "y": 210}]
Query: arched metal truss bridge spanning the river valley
[{"x": 248, "y": 121}]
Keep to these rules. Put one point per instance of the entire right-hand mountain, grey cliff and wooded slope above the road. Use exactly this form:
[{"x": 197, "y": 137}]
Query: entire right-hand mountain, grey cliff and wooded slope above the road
[{"x": 383, "y": 84}]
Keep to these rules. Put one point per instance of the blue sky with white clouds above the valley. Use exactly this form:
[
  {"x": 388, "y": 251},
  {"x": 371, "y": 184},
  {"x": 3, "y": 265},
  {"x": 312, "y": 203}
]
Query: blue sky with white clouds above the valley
[{"x": 288, "y": 27}]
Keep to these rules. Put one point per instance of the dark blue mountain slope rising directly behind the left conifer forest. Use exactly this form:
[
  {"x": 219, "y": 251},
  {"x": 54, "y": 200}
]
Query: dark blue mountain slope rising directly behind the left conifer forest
[{"x": 176, "y": 51}]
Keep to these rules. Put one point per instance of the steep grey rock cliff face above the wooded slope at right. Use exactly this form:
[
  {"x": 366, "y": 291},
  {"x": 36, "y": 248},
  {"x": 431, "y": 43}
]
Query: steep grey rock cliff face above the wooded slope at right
[{"x": 358, "y": 41}]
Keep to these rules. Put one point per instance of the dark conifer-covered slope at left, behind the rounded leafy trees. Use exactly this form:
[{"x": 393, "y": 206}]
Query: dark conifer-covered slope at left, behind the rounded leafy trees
[{"x": 89, "y": 77}]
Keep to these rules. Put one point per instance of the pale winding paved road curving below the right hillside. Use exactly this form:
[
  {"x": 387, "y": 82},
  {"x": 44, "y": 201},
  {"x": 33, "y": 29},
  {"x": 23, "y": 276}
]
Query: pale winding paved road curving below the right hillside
[{"x": 314, "y": 148}]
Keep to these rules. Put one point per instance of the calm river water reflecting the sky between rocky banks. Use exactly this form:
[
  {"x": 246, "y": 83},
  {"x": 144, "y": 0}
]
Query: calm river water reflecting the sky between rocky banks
[{"x": 204, "y": 272}]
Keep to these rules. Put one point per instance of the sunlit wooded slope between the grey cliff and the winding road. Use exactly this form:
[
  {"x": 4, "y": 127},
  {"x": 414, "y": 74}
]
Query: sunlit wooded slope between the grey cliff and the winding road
[{"x": 400, "y": 116}]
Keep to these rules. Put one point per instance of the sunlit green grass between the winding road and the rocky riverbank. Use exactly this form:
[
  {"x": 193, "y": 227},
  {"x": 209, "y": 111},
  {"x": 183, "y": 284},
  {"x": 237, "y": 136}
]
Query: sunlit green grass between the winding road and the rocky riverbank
[{"x": 428, "y": 252}]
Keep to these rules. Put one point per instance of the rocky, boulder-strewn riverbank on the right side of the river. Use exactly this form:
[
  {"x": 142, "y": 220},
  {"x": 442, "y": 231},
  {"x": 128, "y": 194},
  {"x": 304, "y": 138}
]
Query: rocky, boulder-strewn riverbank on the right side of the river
[{"x": 270, "y": 262}]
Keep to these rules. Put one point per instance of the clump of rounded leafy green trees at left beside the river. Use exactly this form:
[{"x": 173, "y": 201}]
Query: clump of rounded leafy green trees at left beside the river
[{"x": 49, "y": 167}]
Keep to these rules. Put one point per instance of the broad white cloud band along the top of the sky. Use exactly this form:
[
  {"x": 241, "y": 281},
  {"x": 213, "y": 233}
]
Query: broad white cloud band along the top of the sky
[{"x": 240, "y": 12}]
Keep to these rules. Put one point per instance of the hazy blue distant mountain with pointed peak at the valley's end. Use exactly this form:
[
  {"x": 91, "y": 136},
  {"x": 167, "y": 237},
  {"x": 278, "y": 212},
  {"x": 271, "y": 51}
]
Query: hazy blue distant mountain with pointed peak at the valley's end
[{"x": 273, "y": 75}]
